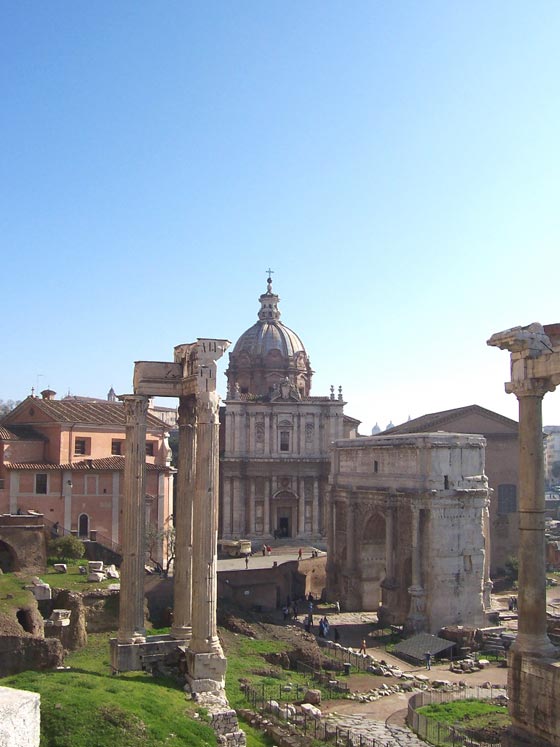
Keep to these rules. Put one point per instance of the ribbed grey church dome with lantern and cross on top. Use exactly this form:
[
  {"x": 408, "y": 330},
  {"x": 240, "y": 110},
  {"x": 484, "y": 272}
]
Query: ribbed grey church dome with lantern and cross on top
[{"x": 267, "y": 355}]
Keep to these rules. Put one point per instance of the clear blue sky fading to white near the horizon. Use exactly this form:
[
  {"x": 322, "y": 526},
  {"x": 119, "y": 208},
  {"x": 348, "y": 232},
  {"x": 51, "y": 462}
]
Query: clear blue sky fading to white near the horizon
[{"x": 396, "y": 163}]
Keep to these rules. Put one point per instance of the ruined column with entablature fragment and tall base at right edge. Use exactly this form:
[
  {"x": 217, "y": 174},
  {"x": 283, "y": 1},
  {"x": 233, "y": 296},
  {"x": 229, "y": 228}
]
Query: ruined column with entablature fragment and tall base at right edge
[{"x": 534, "y": 663}]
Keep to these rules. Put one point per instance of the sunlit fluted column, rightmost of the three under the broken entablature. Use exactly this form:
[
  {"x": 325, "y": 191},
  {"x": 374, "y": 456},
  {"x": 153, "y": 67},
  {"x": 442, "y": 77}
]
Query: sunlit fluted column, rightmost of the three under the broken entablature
[{"x": 205, "y": 517}]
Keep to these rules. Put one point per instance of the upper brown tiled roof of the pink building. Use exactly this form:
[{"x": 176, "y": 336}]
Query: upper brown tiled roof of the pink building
[{"x": 86, "y": 412}]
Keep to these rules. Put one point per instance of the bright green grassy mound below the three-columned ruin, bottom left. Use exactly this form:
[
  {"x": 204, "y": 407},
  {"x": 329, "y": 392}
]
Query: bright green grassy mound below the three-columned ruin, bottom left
[{"x": 86, "y": 706}]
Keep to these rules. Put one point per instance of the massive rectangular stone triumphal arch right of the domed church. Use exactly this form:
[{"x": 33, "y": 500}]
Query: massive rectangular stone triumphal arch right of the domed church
[{"x": 408, "y": 518}]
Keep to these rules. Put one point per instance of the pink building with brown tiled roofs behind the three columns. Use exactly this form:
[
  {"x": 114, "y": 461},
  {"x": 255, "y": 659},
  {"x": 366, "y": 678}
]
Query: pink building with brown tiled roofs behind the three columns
[{"x": 65, "y": 459}]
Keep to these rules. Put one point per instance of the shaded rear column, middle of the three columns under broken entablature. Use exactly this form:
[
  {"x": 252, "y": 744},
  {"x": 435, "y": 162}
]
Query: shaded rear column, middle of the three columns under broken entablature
[{"x": 182, "y": 567}]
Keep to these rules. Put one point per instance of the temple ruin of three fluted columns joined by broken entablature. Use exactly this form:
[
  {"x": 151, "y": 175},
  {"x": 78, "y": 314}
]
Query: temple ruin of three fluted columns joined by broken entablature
[{"x": 191, "y": 377}]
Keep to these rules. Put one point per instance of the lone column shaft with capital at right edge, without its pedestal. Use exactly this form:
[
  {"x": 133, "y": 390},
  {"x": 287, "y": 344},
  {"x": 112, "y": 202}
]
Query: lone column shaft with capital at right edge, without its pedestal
[{"x": 532, "y": 637}]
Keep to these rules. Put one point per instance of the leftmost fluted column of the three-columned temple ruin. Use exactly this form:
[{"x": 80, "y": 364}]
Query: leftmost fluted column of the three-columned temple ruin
[{"x": 131, "y": 608}]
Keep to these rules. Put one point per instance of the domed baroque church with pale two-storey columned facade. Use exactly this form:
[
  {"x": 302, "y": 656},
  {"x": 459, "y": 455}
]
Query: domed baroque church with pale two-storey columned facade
[{"x": 276, "y": 437}]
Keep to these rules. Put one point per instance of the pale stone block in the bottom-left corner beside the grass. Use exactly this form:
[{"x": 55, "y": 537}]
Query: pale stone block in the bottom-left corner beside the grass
[{"x": 19, "y": 718}]
